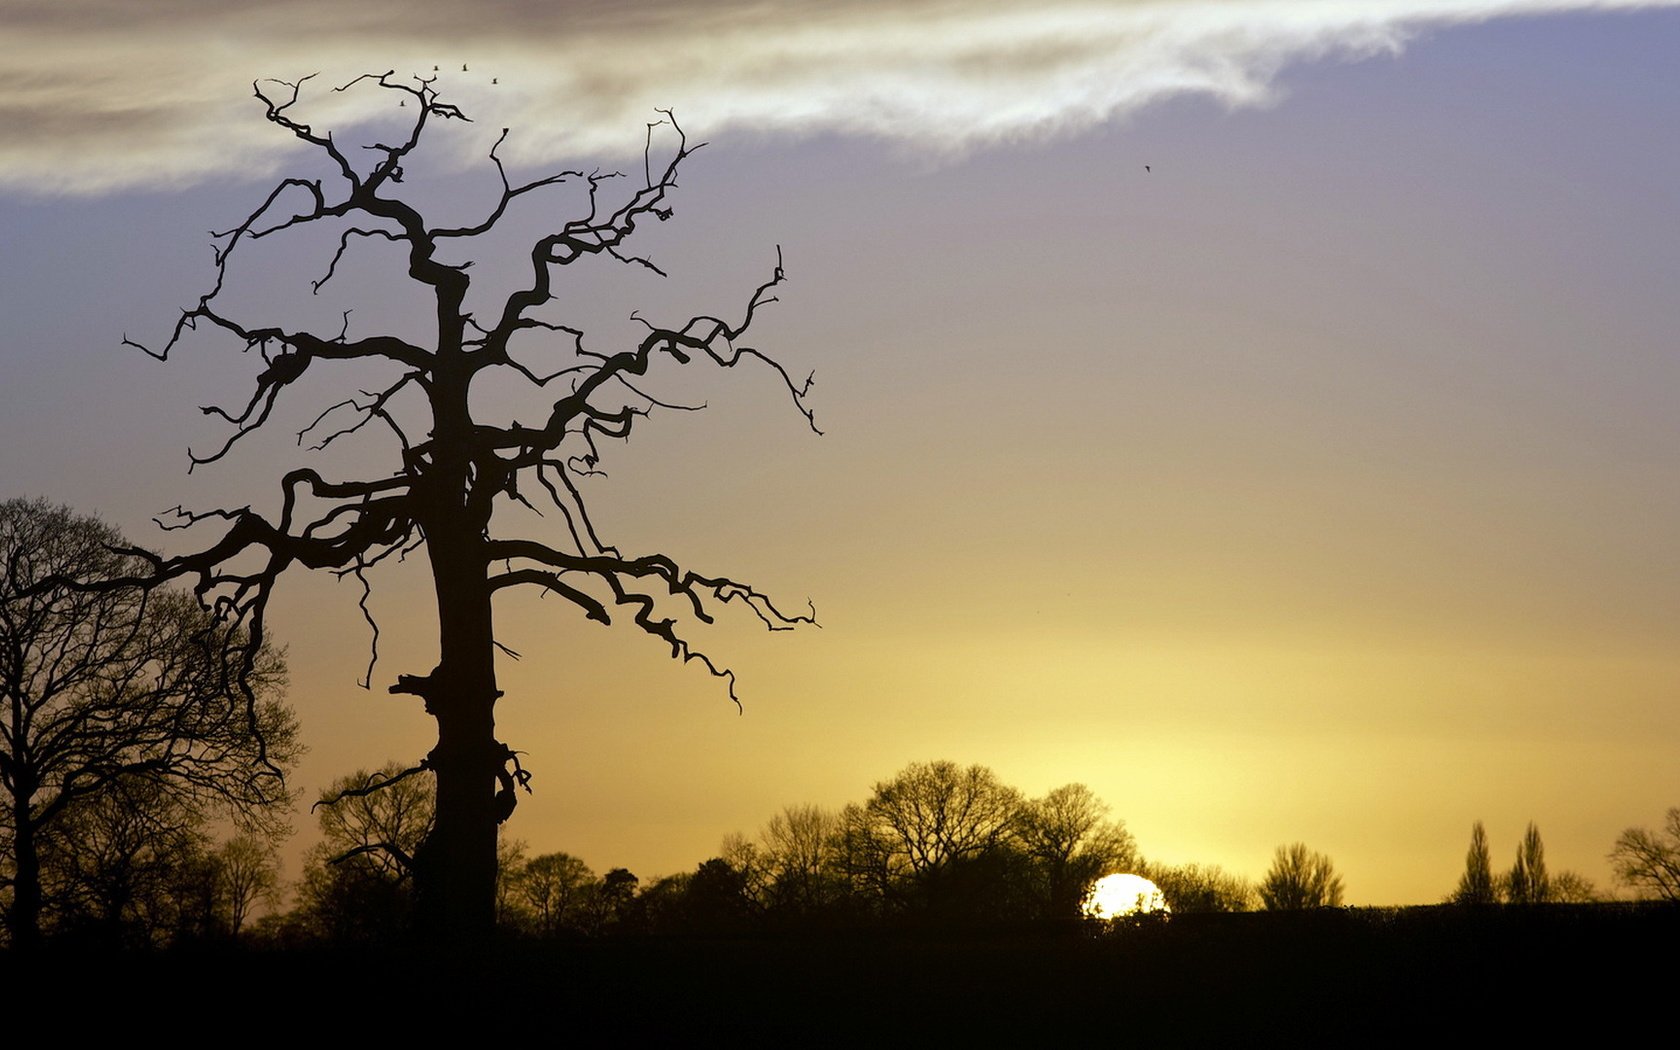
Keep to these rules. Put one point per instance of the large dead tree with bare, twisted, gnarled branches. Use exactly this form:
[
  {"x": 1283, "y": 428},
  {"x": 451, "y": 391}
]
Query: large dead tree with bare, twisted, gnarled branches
[{"x": 453, "y": 475}]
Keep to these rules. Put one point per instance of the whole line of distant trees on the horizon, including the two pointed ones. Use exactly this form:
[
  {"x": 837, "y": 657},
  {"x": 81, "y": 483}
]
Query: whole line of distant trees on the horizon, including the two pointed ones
[{"x": 935, "y": 846}]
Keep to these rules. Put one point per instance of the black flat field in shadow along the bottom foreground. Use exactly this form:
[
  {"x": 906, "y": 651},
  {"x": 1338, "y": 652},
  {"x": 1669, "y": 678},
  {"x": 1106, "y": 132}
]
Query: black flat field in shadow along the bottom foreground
[{"x": 1373, "y": 975}]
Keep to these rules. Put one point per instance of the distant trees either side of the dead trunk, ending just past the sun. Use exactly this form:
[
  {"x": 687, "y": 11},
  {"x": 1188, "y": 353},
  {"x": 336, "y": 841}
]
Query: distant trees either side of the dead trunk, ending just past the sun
[{"x": 937, "y": 844}]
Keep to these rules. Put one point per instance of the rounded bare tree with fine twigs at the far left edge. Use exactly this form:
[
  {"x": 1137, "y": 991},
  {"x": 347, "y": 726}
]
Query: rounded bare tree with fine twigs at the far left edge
[{"x": 122, "y": 695}]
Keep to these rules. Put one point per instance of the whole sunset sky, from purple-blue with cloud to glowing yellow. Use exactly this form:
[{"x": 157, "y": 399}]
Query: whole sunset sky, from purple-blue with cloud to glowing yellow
[{"x": 1261, "y": 412}]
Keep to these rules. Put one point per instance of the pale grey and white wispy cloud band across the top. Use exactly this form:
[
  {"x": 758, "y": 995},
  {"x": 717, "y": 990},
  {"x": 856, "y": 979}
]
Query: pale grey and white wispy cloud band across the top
[{"x": 108, "y": 95}]
